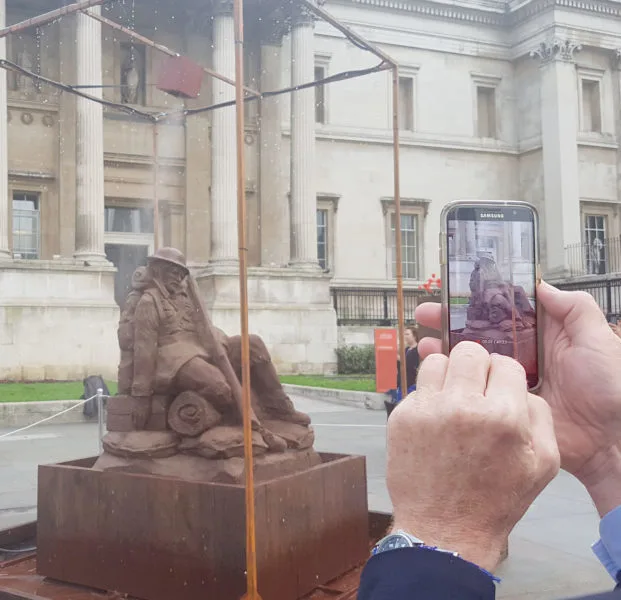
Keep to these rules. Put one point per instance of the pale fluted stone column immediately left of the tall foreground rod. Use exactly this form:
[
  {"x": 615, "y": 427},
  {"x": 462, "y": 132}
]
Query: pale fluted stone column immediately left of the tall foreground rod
[{"x": 223, "y": 154}]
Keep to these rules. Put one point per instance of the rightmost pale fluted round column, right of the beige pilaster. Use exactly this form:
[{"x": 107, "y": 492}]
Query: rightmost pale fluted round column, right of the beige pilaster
[{"x": 303, "y": 190}]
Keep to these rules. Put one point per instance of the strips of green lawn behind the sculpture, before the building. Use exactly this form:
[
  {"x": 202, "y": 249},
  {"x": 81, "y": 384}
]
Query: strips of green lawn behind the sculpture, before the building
[{"x": 72, "y": 390}]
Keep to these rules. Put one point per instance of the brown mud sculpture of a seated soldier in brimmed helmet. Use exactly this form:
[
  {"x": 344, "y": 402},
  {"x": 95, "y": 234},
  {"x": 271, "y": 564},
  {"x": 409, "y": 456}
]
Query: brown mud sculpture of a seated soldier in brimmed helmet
[{"x": 179, "y": 377}]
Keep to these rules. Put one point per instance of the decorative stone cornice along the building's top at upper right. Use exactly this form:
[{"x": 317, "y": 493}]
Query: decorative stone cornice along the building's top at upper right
[{"x": 502, "y": 16}]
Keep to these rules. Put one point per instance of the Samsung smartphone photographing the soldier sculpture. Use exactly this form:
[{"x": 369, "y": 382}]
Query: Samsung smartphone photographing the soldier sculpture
[{"x": 490, "y": 261}]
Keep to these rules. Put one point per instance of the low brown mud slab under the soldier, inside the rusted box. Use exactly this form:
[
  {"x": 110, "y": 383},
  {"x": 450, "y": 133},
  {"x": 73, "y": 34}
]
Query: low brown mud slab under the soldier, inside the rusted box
[{"x": 229, "y": 470}]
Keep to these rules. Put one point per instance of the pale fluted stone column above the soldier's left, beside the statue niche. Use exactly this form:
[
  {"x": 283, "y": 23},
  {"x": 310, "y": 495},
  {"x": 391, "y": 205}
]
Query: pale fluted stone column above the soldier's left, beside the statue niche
[{"x": 89, "y": 144}]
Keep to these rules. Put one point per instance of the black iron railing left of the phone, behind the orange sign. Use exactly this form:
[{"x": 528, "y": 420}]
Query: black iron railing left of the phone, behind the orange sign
[{"x": 373, "y": 306}]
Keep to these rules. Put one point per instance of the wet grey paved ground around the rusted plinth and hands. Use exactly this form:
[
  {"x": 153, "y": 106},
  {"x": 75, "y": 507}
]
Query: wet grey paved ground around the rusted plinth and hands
[{"x": 550, "y": 554}]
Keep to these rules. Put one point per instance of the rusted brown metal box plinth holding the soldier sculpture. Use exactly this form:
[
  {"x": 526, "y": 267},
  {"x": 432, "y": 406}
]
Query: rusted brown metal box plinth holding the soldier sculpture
[{"x": 160, "y": 538}]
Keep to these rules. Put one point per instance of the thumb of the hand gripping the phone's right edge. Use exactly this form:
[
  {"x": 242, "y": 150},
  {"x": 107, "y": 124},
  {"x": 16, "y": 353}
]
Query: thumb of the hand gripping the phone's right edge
[{"x": 577, "y": 311}]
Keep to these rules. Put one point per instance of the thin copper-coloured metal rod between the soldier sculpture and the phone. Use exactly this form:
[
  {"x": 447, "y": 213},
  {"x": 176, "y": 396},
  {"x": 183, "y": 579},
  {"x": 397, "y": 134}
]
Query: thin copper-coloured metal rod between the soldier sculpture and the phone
[{"x": 398, "y": 248}]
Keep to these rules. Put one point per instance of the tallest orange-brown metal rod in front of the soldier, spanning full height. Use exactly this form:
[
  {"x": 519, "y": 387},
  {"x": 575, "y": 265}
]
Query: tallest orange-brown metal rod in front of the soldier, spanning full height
[{"x": 252, "y": 592}]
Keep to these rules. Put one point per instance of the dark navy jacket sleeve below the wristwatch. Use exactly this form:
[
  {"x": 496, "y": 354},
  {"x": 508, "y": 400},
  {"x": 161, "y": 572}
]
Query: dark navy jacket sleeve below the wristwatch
[{"x": 412, "y": 573}]
